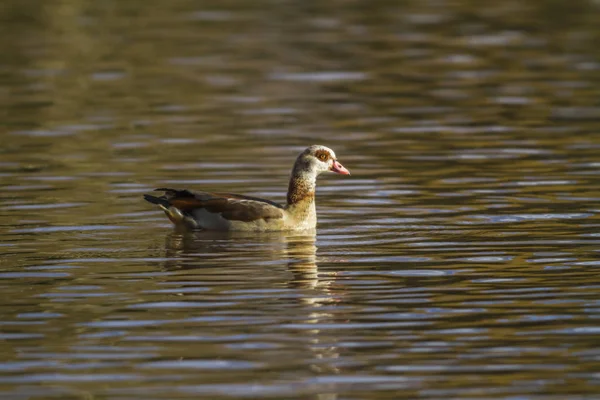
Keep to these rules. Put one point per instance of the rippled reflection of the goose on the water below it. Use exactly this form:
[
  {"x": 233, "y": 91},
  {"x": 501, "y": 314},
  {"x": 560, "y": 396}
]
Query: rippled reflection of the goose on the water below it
[{"x": 259, "y": 257}]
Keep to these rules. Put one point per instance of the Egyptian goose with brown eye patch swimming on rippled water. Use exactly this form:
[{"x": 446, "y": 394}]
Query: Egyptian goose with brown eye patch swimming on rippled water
[{"x": 234, "y": 212}]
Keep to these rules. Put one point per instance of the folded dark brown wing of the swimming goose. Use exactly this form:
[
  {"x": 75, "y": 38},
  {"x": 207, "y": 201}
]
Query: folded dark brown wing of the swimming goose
[{"x": 231, "y": 206}]
